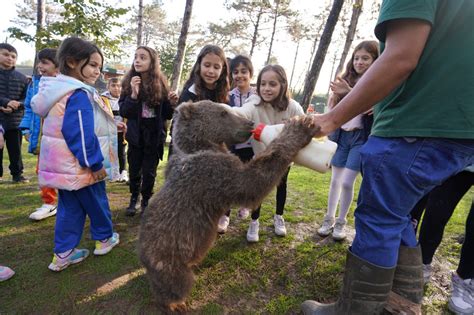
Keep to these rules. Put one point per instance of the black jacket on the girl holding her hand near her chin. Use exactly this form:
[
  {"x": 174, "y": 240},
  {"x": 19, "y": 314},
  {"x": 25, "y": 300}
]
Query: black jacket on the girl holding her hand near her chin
[{"x": 132, "y": 110}]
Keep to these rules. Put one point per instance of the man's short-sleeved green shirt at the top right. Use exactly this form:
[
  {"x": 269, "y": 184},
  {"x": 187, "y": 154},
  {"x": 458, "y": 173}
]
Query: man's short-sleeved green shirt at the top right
[{"x": 437, "y": 99}]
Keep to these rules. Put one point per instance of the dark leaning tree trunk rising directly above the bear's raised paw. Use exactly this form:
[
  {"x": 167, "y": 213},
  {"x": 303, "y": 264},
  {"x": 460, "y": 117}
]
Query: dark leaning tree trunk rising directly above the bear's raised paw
[{"x": 318, "y": 61}]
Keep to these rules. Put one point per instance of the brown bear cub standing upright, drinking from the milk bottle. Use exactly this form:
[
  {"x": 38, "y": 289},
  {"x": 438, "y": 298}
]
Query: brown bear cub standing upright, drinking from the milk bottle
[{"x": 202, "y": 181}]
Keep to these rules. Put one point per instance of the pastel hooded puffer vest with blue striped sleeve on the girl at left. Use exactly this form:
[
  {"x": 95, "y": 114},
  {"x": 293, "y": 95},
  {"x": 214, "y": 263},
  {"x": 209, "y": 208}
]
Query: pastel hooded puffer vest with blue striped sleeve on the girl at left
[{"x": 79, "y": 133}]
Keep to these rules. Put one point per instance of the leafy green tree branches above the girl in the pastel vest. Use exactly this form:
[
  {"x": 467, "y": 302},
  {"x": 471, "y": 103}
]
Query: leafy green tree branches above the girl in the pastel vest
[{"x": 90, "y": 19}]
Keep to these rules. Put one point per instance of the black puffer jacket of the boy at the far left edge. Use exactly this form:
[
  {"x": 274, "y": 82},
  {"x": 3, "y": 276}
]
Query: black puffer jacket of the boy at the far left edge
[{"x": 13, "y": 86}]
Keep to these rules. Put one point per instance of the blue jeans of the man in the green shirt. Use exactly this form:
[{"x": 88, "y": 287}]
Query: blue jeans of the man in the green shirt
[{"x": 397, "y": 173}]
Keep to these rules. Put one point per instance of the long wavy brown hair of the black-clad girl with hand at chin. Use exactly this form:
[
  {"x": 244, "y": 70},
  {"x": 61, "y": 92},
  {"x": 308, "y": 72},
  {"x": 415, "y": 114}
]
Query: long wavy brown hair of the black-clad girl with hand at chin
[{"x": 153, "y": 90}]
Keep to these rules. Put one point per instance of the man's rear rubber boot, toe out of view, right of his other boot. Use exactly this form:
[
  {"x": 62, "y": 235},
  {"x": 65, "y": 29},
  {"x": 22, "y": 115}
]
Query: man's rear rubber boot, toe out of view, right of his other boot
[{"x": 408, "y": 279}]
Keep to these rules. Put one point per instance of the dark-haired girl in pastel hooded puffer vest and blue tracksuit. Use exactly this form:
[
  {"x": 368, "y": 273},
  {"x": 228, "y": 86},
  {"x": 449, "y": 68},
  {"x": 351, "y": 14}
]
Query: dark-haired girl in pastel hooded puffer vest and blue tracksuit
[{"x": 78, "y": 151}]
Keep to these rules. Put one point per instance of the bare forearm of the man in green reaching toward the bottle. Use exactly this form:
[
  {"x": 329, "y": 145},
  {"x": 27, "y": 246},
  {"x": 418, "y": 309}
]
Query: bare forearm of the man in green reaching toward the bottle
[{"x": 405, "y": 41}]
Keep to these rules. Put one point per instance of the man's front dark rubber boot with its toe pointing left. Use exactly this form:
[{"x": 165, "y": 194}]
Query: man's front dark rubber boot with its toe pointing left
[{"x": 365, "y": 290}]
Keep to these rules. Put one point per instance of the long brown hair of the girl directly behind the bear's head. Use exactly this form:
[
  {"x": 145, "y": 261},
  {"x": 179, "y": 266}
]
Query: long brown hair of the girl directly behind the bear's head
[{"x": 222, "y": 84}]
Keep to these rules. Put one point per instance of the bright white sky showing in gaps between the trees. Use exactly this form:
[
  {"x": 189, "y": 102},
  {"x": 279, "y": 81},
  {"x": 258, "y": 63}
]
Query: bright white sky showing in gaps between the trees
[{"x": 205, "y": 11}]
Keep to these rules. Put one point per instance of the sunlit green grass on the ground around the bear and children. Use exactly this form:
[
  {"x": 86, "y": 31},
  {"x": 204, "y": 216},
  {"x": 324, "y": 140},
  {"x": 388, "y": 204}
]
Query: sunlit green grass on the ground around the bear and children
[{"x": 272, "y": 276}]
